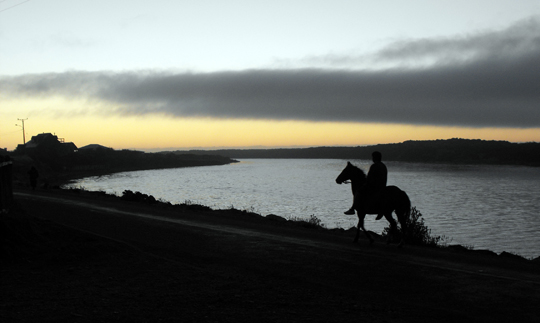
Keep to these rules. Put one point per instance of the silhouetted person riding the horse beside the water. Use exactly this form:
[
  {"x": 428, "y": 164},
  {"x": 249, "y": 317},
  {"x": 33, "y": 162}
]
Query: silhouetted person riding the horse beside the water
[{"x": 376, "y": 181}]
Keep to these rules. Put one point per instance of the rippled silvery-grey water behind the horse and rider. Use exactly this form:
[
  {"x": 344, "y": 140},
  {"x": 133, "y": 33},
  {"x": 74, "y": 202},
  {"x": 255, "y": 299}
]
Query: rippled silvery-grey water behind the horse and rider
[{"x": 484, "y": 207}]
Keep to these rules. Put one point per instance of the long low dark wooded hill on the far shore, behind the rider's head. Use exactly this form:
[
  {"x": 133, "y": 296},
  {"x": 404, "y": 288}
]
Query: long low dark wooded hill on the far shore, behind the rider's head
[{"x": 461, "y": 151}]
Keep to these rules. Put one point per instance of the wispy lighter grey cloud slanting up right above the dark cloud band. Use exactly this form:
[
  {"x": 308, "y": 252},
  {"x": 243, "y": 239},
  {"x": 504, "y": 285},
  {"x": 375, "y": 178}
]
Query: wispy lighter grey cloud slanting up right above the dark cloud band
[{"x": 514, "y": 41}]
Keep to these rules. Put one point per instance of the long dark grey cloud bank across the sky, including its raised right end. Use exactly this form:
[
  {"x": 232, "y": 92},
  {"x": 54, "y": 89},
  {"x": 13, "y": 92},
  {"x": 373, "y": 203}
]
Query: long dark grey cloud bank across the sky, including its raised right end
[{"x": 491, "y": 79}]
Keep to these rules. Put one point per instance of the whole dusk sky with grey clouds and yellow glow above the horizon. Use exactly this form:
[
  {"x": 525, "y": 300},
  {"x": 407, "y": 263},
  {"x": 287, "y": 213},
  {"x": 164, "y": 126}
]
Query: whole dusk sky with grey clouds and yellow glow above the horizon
[{"x": 163, "y": 74}]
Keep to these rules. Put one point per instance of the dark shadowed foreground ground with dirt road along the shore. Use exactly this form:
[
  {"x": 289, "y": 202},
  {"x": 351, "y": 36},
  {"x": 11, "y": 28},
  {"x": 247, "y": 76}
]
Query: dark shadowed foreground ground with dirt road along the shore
[{"x": 85, "y": 258}]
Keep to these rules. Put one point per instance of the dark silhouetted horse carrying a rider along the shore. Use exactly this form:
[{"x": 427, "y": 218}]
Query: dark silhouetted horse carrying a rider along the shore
[{"x": 392, "y": 199}]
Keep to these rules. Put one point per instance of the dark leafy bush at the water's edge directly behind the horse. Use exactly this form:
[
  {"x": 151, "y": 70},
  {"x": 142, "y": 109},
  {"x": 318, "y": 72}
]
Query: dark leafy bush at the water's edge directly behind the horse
[{"x": 417, "y": 232}]
